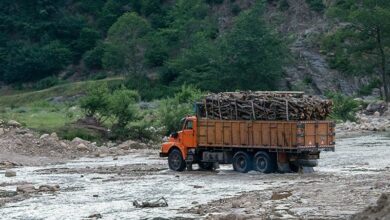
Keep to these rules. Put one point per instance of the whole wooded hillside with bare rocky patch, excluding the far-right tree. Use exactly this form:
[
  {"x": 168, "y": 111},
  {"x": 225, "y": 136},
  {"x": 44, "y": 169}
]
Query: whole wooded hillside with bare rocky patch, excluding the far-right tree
[{"x": 216, "y": 45}]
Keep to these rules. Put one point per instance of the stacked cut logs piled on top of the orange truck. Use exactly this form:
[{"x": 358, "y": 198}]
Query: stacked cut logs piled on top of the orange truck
[{"x": 263, "y": 106}]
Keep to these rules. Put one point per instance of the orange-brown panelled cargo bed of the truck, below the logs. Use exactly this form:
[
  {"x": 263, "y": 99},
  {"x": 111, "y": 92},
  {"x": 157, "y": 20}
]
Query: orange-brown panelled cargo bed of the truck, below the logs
[{"x": 278, "y": 135}]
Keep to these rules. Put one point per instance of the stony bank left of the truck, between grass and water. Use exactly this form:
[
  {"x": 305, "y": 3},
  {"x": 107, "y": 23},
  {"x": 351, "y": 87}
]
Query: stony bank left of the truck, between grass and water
[{"x": 22, "y": 146}]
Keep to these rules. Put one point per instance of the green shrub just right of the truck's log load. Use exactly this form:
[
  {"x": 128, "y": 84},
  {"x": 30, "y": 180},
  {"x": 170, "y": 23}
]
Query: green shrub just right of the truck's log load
[{"x": 344, "y": 107}]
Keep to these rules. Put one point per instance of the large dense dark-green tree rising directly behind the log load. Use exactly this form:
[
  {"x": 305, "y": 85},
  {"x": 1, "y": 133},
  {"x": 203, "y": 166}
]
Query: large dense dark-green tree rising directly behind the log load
[{"x": 253, "y": 54}]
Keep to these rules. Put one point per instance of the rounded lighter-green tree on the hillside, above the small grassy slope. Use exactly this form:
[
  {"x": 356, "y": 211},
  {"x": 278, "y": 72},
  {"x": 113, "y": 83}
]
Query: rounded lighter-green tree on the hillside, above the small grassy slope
[{"x": 126, "y": 44}]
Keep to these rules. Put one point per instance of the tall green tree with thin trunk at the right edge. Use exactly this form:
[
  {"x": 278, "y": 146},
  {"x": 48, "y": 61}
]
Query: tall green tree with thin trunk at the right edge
[{"x": 367, "y": 42}]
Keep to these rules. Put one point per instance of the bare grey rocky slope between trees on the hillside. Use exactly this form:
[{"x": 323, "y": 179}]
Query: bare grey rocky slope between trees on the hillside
[{"x": 308, "y": 69}]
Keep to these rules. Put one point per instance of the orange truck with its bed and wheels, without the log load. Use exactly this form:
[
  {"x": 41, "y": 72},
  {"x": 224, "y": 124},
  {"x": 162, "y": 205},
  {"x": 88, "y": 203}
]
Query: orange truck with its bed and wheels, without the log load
[{"x": 264, "y": 146}]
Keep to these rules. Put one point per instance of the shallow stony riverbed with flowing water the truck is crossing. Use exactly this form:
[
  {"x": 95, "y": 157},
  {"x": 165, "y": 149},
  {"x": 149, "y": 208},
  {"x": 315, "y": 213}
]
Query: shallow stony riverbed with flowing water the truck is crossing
[{"x": 345, "y": 182}]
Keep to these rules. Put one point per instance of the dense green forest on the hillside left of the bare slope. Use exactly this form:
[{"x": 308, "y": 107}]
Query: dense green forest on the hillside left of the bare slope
[{"x": 161, "y": 43}]
